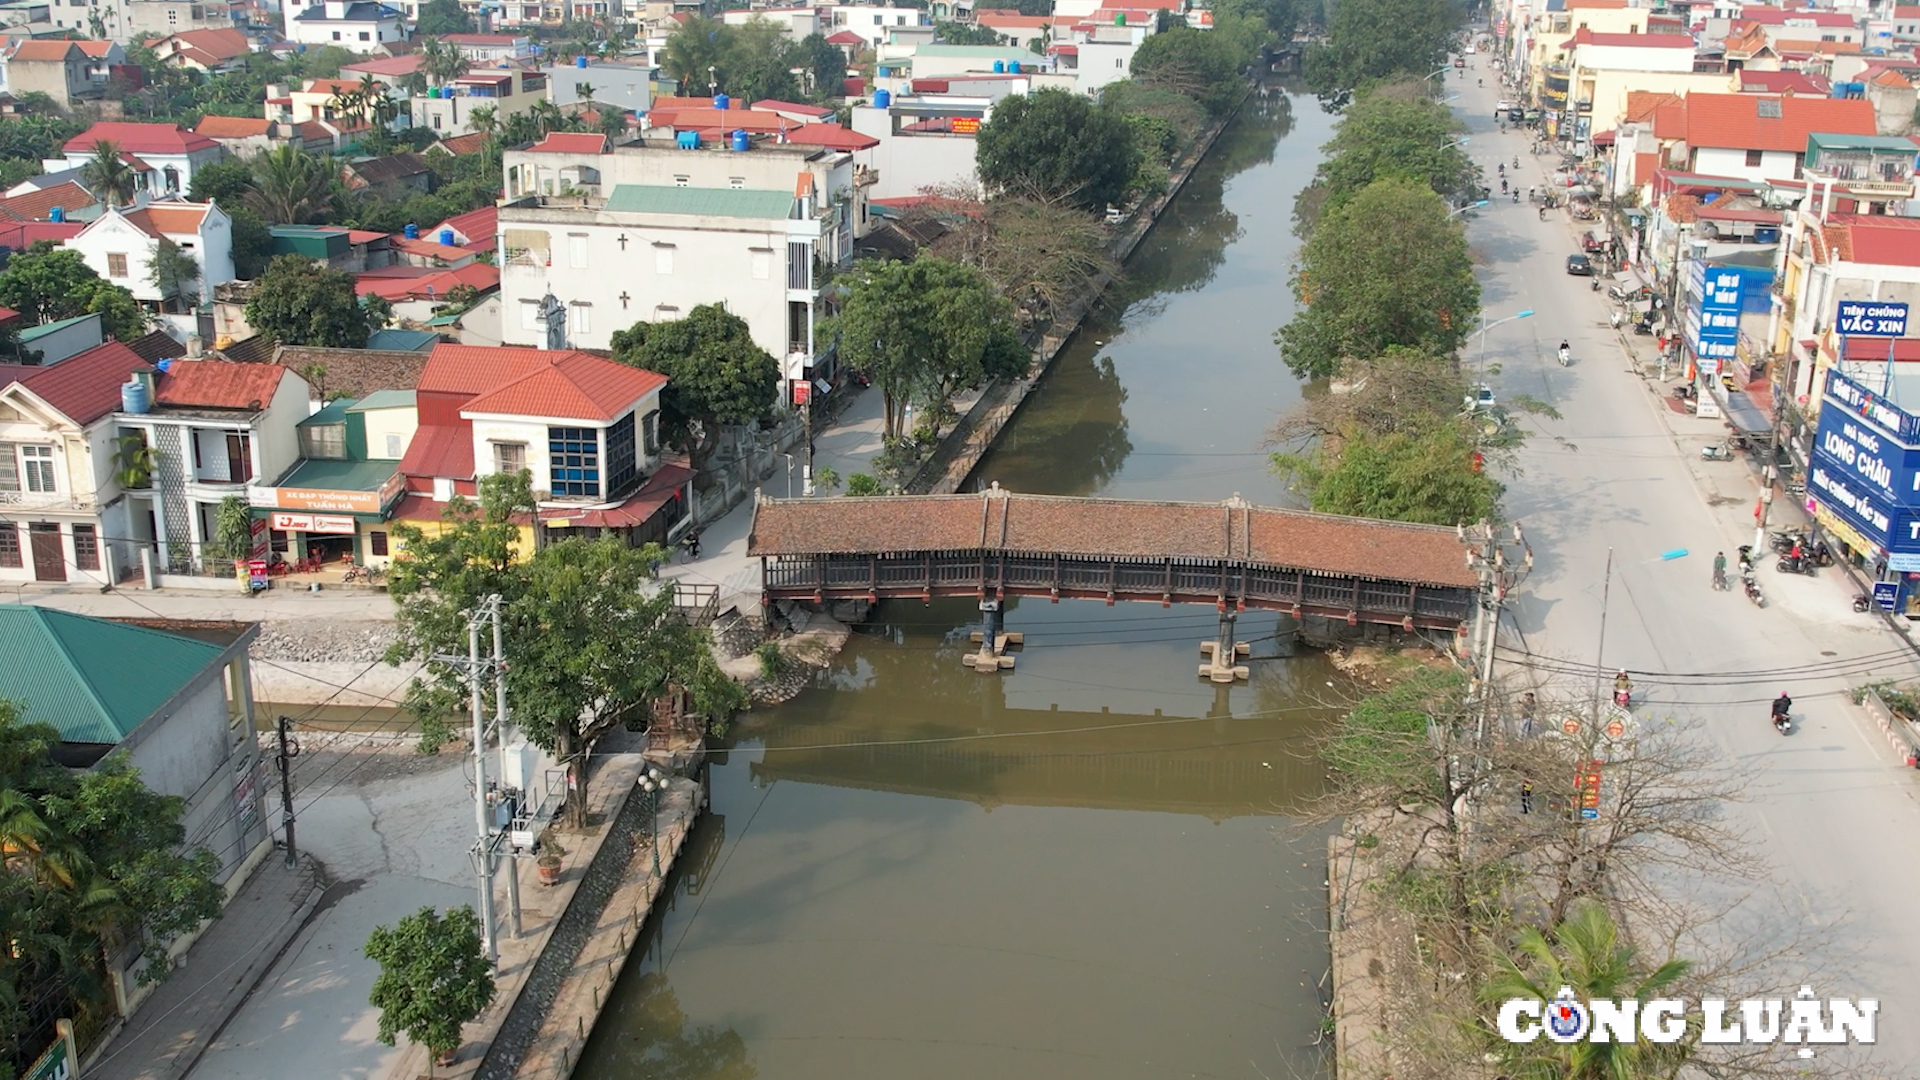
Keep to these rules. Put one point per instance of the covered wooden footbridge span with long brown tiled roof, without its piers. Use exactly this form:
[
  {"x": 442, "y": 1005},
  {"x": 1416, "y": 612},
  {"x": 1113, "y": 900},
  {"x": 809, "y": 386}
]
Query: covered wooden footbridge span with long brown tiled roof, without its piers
[{"x": 997, "y": 543}]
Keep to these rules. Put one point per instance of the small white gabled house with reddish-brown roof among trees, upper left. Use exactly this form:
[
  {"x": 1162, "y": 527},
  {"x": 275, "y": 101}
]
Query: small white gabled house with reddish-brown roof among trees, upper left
[{"x": 120, "y": 245}]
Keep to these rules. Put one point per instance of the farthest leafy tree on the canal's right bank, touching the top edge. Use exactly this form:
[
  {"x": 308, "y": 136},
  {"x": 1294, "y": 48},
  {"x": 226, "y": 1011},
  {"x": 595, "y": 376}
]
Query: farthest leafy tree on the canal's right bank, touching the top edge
[{"x": 1380, "y": 39}]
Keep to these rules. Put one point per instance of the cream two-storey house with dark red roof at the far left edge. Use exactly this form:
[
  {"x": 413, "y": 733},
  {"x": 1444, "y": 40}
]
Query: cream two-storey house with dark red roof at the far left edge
[{"x": 64, "y": 514}]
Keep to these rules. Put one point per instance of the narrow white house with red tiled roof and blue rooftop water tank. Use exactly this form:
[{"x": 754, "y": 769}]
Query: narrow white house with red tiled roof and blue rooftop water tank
[{"x": 214, "y": 430}]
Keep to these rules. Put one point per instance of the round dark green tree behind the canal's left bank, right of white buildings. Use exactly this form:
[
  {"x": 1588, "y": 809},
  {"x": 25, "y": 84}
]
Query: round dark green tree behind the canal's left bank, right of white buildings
[{"x": 1055, "y": 147}]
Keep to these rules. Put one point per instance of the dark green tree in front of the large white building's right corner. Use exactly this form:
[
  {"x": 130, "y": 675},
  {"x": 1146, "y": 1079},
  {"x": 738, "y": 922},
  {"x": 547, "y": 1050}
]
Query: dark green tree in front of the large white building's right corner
[{"x": 717, "y": 376}]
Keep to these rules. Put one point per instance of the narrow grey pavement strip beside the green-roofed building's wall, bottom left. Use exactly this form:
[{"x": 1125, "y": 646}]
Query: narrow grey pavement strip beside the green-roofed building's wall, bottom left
[{"x": 185, "y": 1014}]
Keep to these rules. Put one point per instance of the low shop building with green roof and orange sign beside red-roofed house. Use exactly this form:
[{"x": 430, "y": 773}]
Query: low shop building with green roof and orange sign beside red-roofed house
[{"x": 337, "y": 499}]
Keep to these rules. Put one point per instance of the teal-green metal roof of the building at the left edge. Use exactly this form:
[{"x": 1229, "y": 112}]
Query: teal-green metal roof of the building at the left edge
[{"x": 93, "y": 679}]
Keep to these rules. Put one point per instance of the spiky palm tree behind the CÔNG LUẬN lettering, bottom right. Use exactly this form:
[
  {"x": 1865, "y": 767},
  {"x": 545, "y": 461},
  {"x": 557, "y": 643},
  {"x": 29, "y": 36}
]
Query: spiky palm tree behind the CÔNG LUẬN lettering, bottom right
[{"x": 1587, "y": 956}]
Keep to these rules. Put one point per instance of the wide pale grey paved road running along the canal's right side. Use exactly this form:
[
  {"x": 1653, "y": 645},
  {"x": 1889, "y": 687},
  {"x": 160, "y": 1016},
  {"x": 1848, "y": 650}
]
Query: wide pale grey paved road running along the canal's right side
[{"x": 1835, "y": 810}]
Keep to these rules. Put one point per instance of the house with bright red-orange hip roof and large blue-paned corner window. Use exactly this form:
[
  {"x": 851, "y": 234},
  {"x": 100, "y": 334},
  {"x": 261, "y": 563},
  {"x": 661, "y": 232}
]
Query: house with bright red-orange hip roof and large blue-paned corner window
[{"x": 588, "y": 431}]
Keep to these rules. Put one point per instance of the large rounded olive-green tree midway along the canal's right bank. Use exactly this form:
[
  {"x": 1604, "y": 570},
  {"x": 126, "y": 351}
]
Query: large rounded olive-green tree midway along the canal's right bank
[{"x": 1387, "y": 268}]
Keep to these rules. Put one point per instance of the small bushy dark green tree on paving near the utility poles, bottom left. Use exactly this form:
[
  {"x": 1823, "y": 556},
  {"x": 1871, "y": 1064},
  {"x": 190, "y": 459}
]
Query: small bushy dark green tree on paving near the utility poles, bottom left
[{"x": 433, "y": 977}]
